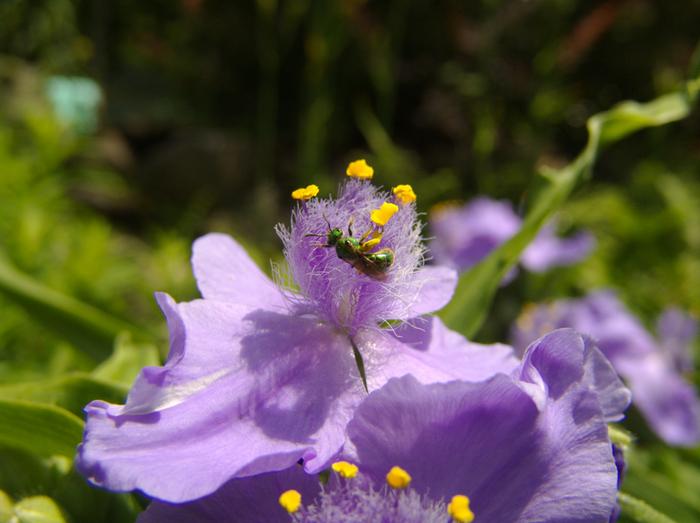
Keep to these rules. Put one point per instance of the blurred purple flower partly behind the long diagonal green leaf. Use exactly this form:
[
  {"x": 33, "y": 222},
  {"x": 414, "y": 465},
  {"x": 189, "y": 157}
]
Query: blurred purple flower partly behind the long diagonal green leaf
[{"x": 465, "y": 235}]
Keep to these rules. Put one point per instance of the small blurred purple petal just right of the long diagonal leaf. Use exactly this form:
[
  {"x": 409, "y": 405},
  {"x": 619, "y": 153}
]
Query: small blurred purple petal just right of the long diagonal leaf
[{"x": 548, "y": 250}]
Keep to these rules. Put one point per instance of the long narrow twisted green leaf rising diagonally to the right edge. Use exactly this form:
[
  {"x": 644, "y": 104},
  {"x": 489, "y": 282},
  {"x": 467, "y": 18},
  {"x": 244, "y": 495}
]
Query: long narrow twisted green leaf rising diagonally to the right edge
[{"x": 477, "y": 287}]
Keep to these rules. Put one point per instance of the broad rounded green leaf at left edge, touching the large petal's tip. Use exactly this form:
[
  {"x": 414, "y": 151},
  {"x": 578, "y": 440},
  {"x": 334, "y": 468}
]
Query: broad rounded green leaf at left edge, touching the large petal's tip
[{"x": 44, "y": 430}]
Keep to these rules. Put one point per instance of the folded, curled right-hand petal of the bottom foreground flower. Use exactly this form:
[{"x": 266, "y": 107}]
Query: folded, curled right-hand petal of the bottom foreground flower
[{"x": 581, "y": 482}]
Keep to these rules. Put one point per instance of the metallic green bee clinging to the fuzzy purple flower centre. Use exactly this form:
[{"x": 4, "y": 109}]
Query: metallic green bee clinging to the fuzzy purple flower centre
[{"x": 357, "y": 252}]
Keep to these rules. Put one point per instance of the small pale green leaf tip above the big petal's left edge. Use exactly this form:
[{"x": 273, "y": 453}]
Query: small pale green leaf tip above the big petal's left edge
[{"x": 127, "y": 360}]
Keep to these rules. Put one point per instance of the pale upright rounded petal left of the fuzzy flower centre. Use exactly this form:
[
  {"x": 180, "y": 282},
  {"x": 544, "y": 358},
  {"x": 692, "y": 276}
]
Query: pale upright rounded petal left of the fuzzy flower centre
[{"x": 225, "y": 272}]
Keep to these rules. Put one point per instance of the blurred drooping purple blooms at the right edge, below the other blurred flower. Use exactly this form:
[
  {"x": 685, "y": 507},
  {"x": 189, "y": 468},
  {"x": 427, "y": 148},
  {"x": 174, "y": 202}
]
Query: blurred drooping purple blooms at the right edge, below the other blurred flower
[{"x": 651, "y": 367}]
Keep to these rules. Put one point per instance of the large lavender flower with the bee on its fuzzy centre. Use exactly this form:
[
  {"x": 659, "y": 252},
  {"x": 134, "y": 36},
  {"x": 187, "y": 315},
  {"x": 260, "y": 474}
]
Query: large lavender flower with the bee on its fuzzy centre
[{"x": 259, "y": 377}]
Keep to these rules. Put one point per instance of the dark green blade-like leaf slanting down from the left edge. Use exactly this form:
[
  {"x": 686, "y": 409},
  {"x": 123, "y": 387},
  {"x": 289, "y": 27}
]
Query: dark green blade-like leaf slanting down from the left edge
[{"x": 87, "y": 327}]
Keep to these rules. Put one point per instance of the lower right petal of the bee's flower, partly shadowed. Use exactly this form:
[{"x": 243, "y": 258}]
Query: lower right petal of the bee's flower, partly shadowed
[{"x": 431, "y": 352}]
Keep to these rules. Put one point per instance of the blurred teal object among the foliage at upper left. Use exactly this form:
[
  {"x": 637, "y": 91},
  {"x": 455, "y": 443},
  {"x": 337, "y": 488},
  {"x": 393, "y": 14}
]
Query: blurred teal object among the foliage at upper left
[{"x": 76, "y": 101}]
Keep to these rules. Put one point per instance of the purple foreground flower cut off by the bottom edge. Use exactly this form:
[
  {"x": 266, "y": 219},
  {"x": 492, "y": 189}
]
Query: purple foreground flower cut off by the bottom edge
[{"x": 530, "y": 445}]
